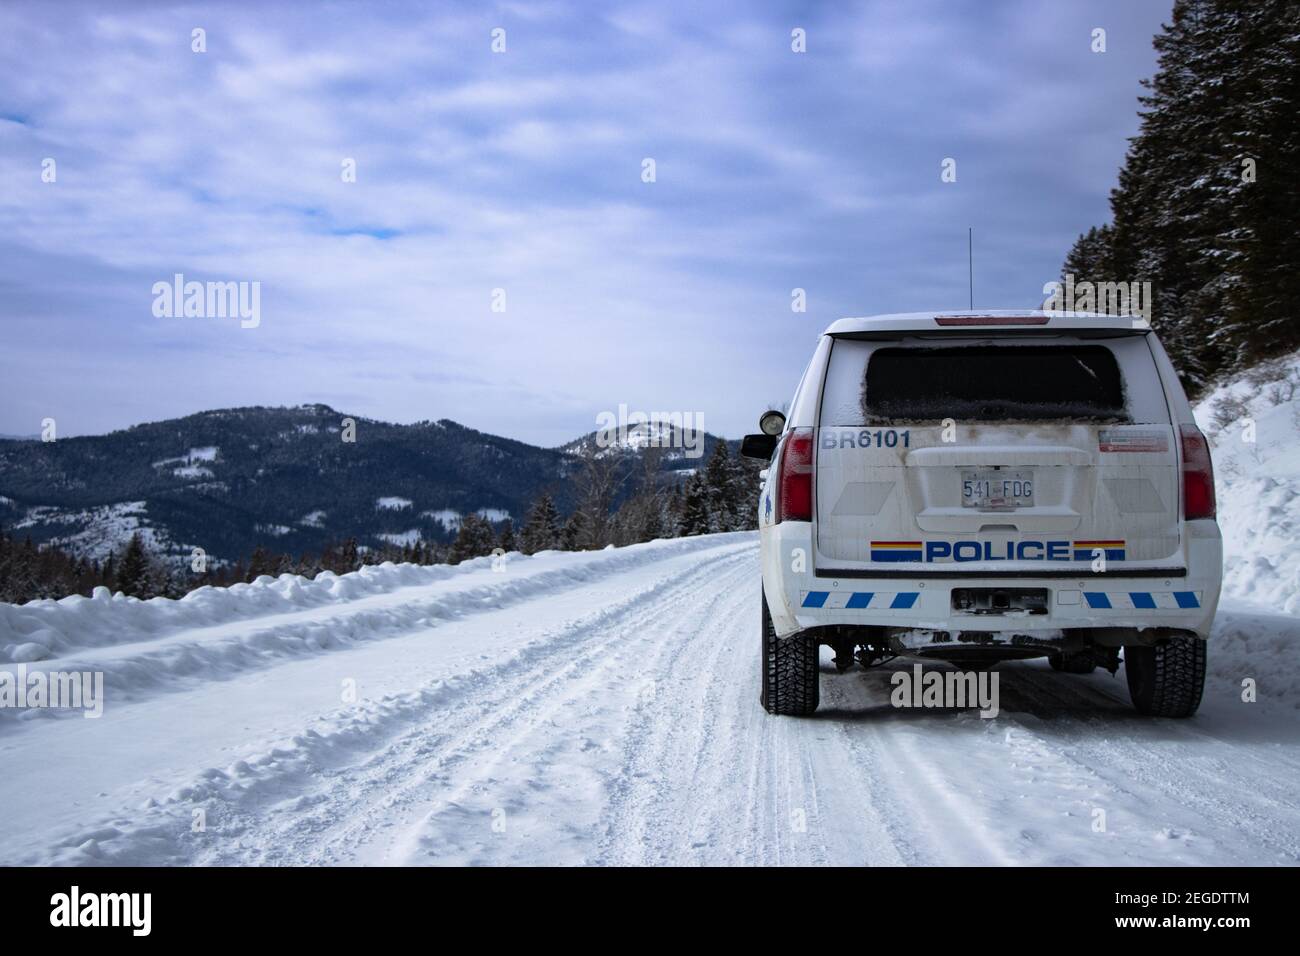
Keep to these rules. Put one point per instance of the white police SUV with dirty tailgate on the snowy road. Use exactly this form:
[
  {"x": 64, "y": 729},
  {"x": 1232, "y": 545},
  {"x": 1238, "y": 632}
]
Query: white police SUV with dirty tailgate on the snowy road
[{"x": 989, "y": 487}]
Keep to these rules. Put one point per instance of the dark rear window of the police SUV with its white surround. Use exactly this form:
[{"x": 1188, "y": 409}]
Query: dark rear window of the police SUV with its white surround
[{"x": 882, "y": 383}]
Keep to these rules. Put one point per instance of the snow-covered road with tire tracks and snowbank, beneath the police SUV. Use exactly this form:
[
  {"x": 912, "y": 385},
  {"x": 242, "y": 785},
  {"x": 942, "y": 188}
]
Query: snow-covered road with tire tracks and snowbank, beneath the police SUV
[{"x": 604, "y": 710}]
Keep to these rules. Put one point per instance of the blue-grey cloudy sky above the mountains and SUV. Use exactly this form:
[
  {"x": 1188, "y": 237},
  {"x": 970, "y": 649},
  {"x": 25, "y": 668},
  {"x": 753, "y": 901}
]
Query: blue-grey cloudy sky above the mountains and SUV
[{"x": 522, "y": 171}]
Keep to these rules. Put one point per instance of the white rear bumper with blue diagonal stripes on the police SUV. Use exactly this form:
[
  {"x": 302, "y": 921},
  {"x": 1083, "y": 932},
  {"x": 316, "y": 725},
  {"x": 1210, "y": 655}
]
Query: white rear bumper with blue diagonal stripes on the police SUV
[{"x": 1180, "y": 598}]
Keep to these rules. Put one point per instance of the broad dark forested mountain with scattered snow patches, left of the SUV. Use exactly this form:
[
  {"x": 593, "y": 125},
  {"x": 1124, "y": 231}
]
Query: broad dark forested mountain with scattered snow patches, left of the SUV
[{"x": 233, "y": 479}]
